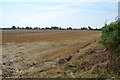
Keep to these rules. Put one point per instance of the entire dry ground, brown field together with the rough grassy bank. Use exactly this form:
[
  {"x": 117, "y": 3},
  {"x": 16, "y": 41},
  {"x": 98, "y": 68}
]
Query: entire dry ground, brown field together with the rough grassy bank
[{"x": 51, "y": 53}]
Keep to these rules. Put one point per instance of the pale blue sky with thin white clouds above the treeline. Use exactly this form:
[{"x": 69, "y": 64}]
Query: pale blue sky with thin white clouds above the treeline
[{"x": 61, "y": 13}]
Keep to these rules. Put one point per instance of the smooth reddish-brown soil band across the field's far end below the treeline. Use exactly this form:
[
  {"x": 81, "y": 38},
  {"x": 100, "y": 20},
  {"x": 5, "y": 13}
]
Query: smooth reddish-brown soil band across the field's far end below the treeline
[{"x": 44, "y": 35}]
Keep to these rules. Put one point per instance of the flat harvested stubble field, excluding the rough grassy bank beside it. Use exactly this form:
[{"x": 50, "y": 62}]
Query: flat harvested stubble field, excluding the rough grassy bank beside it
[{"x": 28, "y": 51}]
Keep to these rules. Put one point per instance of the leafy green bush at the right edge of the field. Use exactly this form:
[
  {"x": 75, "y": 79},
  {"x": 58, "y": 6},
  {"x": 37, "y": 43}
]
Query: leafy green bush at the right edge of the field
[{"x": 111, "y": 36}]
